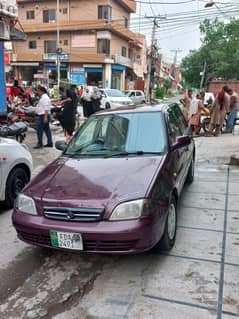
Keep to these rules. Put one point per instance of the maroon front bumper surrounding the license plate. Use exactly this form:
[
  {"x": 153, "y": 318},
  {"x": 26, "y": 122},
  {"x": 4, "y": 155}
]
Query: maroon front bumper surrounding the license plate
[{"x": 133, "y": 236}]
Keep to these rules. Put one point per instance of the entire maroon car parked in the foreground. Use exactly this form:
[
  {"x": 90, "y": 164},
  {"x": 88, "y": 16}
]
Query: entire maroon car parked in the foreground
[{"x": 115, "y": 187}]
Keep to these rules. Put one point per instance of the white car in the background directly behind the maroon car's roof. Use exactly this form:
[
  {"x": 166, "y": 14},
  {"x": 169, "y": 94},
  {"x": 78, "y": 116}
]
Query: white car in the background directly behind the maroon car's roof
[{"x": 112, "y": 98}]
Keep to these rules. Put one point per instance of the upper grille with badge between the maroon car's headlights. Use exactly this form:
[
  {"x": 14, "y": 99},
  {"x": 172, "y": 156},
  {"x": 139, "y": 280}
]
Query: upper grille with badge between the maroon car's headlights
[{"x": 74, "y": 214}]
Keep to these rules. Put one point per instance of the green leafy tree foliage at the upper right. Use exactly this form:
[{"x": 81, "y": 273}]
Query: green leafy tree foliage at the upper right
[{"x": 220, "y": 51}]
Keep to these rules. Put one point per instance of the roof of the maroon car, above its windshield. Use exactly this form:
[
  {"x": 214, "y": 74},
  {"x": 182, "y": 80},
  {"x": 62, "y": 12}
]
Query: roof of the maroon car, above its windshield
[{"x": 162, "y": 107}]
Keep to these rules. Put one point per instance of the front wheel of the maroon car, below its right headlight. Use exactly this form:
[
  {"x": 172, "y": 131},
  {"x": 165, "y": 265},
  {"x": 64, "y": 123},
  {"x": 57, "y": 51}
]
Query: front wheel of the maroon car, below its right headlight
[{"x": 169, "y": 235}]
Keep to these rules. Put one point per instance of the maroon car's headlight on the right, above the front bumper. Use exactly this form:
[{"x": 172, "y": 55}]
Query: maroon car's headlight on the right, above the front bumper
[{"x": 128, "y": 210}]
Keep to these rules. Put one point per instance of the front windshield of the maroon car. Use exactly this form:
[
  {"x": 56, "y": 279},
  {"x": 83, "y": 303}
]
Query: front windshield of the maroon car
[{"x": 120, "y": 135}]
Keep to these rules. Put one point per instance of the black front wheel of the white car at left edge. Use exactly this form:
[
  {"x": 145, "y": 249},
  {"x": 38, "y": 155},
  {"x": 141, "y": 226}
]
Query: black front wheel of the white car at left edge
[{"x": 16, "y": 180}]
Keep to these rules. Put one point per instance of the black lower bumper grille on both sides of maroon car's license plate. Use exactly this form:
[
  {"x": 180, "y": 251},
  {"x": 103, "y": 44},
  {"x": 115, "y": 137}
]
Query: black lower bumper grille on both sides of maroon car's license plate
[{"x": 88, "y": 245}]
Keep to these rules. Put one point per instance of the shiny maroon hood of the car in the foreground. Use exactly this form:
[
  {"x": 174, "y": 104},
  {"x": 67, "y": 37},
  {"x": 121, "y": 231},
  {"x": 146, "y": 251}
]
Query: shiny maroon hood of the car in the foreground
[{"x": 94, "y": 182}]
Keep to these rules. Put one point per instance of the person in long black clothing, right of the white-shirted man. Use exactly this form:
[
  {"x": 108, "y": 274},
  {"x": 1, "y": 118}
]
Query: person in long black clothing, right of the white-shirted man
[{"x": 67, "y": 117}]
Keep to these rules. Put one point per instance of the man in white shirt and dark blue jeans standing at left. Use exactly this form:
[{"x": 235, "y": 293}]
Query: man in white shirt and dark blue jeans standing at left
[{"x": 43, "y": 109}]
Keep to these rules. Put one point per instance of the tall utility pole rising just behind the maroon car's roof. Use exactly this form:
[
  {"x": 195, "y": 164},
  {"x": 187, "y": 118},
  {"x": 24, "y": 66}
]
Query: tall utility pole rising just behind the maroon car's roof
[{"x": 152, "y": 62}]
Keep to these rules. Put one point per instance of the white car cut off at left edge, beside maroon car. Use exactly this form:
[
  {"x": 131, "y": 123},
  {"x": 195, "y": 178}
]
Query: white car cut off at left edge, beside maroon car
[{"x": 15, "y": 169}]
